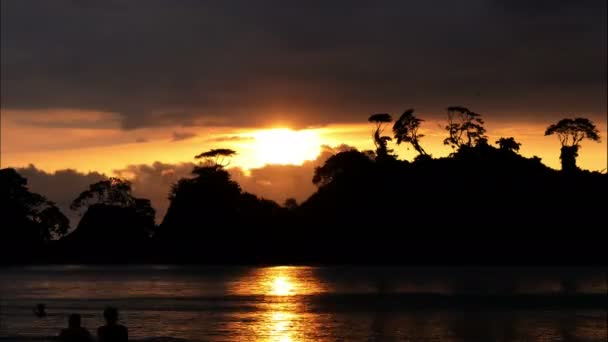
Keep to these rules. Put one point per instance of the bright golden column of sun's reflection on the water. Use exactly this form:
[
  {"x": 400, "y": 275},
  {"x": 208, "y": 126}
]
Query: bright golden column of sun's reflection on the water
[{"x": 280, "y": 314}]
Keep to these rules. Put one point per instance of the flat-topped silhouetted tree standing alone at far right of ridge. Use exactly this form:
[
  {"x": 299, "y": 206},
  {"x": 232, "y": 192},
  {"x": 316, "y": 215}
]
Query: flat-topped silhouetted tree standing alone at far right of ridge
[{"x": 570, "y": 133}]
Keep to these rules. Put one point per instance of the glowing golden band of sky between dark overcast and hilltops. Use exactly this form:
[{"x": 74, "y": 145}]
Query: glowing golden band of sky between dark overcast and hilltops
[{"x": 104, "y": 147}]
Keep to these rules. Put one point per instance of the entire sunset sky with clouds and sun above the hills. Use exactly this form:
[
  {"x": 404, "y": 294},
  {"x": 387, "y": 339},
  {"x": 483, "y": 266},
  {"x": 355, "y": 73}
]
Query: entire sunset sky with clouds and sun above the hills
[{"x": 137, "y": 88}]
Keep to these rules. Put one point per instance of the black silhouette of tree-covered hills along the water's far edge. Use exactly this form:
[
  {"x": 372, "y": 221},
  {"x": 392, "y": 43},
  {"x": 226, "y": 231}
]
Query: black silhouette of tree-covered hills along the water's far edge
[{"x": 481, "y": 204}]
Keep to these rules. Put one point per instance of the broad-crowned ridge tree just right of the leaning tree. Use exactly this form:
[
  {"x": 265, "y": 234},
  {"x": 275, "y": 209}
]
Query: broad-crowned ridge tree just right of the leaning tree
[{"x": 465, "y": 128}]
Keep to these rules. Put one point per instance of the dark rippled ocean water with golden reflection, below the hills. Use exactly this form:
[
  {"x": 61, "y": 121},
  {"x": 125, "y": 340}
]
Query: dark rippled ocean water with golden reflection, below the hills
[{"x": 289, "y": 303}]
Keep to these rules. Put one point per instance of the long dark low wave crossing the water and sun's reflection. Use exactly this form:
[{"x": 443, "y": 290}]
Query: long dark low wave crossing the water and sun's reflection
[{"x": 331, "y": 302}]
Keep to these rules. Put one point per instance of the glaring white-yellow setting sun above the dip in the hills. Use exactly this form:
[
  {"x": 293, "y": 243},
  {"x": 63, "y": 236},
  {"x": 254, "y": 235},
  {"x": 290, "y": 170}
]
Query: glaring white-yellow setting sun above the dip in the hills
[{"x": 286, "y": 146}]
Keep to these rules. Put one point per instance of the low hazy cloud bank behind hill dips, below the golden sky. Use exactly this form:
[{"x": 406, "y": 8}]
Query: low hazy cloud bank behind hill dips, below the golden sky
[{"x": 275, "y": 182}]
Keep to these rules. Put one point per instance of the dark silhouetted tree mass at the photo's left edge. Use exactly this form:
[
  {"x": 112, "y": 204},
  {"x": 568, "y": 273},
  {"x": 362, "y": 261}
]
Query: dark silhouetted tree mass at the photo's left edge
[{"x": 29, "y": 217}]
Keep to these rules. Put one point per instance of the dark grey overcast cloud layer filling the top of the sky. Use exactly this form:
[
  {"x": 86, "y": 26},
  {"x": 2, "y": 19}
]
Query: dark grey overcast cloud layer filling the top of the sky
[{"x": 244, "y": 63}]
